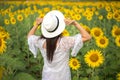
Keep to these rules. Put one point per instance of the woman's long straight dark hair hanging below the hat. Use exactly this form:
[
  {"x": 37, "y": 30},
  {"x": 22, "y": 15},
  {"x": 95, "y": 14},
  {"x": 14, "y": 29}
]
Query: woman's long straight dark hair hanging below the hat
[{"x": 51, "y": 44}]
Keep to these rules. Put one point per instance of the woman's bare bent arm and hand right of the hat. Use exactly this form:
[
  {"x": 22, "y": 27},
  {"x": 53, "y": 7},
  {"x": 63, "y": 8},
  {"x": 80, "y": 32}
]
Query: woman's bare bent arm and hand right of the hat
[{"x": 85, "y": 35}]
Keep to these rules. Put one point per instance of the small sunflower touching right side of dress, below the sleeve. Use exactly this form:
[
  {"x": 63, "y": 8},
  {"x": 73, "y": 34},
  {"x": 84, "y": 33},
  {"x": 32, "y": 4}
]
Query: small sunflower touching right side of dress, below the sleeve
[{"x": 74, "y": 63}]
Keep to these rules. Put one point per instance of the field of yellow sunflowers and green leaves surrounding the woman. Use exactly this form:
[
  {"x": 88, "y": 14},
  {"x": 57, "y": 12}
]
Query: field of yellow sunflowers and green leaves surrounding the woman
[{"x": 99, "y": 58}]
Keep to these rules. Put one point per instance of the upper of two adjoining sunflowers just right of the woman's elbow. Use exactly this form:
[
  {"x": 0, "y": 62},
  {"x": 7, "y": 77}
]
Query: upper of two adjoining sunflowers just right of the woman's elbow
[{"x": 96, "y": 32}]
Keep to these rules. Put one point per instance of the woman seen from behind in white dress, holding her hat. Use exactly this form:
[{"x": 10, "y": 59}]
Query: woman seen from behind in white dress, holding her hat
[{"x": 55, "y": 48}]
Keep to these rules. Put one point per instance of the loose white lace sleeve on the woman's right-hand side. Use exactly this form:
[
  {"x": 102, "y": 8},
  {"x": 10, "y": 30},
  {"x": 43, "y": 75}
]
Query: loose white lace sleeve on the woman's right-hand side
[{"x": 77, "y": 44}]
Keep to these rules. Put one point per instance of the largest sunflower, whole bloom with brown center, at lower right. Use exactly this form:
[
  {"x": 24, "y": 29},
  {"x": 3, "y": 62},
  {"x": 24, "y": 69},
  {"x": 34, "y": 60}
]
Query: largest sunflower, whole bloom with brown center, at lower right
[{"x": 94, "y": 58}]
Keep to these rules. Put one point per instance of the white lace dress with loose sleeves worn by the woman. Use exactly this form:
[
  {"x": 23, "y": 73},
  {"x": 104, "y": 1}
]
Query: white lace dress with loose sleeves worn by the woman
[{"x": 59, "y": 68}]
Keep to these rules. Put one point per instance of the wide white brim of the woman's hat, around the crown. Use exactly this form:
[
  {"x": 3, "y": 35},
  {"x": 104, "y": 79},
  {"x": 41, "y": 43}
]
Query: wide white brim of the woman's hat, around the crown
[{"x": 60, "y": 28}]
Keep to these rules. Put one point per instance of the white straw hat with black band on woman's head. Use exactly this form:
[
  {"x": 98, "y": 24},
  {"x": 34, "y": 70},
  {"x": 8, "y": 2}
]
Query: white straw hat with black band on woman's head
[{"x": 53, "y": 24}]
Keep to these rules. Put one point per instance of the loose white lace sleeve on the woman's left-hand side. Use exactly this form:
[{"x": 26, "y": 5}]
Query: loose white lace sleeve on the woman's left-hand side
[{"x": 32, "y": 43}]
